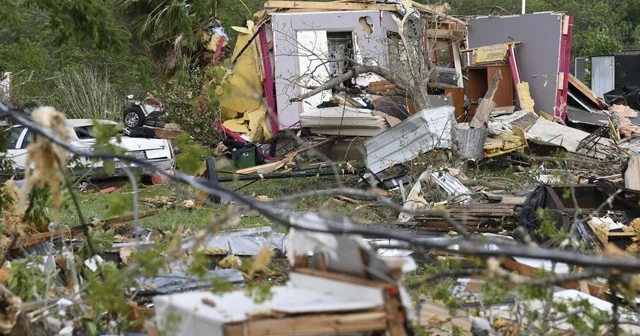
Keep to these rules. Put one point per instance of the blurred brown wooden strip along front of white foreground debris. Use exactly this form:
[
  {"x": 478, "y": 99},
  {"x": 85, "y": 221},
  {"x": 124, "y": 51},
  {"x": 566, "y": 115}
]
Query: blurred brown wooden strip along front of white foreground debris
[{"x": 311, "y": 325}]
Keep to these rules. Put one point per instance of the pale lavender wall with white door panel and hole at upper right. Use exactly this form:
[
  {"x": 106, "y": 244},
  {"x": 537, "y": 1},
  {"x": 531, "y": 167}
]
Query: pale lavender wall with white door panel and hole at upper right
[{"x": 300, "y": 44}]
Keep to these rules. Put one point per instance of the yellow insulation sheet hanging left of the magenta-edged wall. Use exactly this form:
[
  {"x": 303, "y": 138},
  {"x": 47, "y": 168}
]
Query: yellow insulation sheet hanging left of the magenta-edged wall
[{"x": 241, "y": 94}]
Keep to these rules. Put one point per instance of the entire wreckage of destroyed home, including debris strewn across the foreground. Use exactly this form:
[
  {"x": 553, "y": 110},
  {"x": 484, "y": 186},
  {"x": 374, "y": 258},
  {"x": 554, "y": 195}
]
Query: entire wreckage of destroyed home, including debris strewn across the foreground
[{"x": 423, "y": 99}]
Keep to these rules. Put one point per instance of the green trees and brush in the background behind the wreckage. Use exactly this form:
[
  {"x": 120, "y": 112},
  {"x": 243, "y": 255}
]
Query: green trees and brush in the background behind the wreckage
[{"x": 149, "y": 45}]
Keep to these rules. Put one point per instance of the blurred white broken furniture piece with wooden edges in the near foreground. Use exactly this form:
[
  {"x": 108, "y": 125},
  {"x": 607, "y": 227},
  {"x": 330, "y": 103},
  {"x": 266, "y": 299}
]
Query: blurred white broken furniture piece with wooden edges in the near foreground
[{"x": 341, "y": 293}]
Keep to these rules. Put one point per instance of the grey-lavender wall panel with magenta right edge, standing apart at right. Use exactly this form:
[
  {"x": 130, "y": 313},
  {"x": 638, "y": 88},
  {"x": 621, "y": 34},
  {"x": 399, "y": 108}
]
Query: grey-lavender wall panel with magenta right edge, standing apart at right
[{"x": 542, "y": 57}]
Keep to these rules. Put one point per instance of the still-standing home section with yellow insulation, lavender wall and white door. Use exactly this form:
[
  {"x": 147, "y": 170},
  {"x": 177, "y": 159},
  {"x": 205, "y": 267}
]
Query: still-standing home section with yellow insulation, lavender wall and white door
[{"x": 292, "y": 48}]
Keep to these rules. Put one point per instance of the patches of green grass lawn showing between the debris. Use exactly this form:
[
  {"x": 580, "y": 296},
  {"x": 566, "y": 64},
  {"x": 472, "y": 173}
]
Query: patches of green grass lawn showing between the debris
[{"x": 98, "y": 205}]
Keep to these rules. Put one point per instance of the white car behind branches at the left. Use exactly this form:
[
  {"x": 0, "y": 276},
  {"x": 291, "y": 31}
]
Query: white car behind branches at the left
[{"x": 158, "y": 152}]
